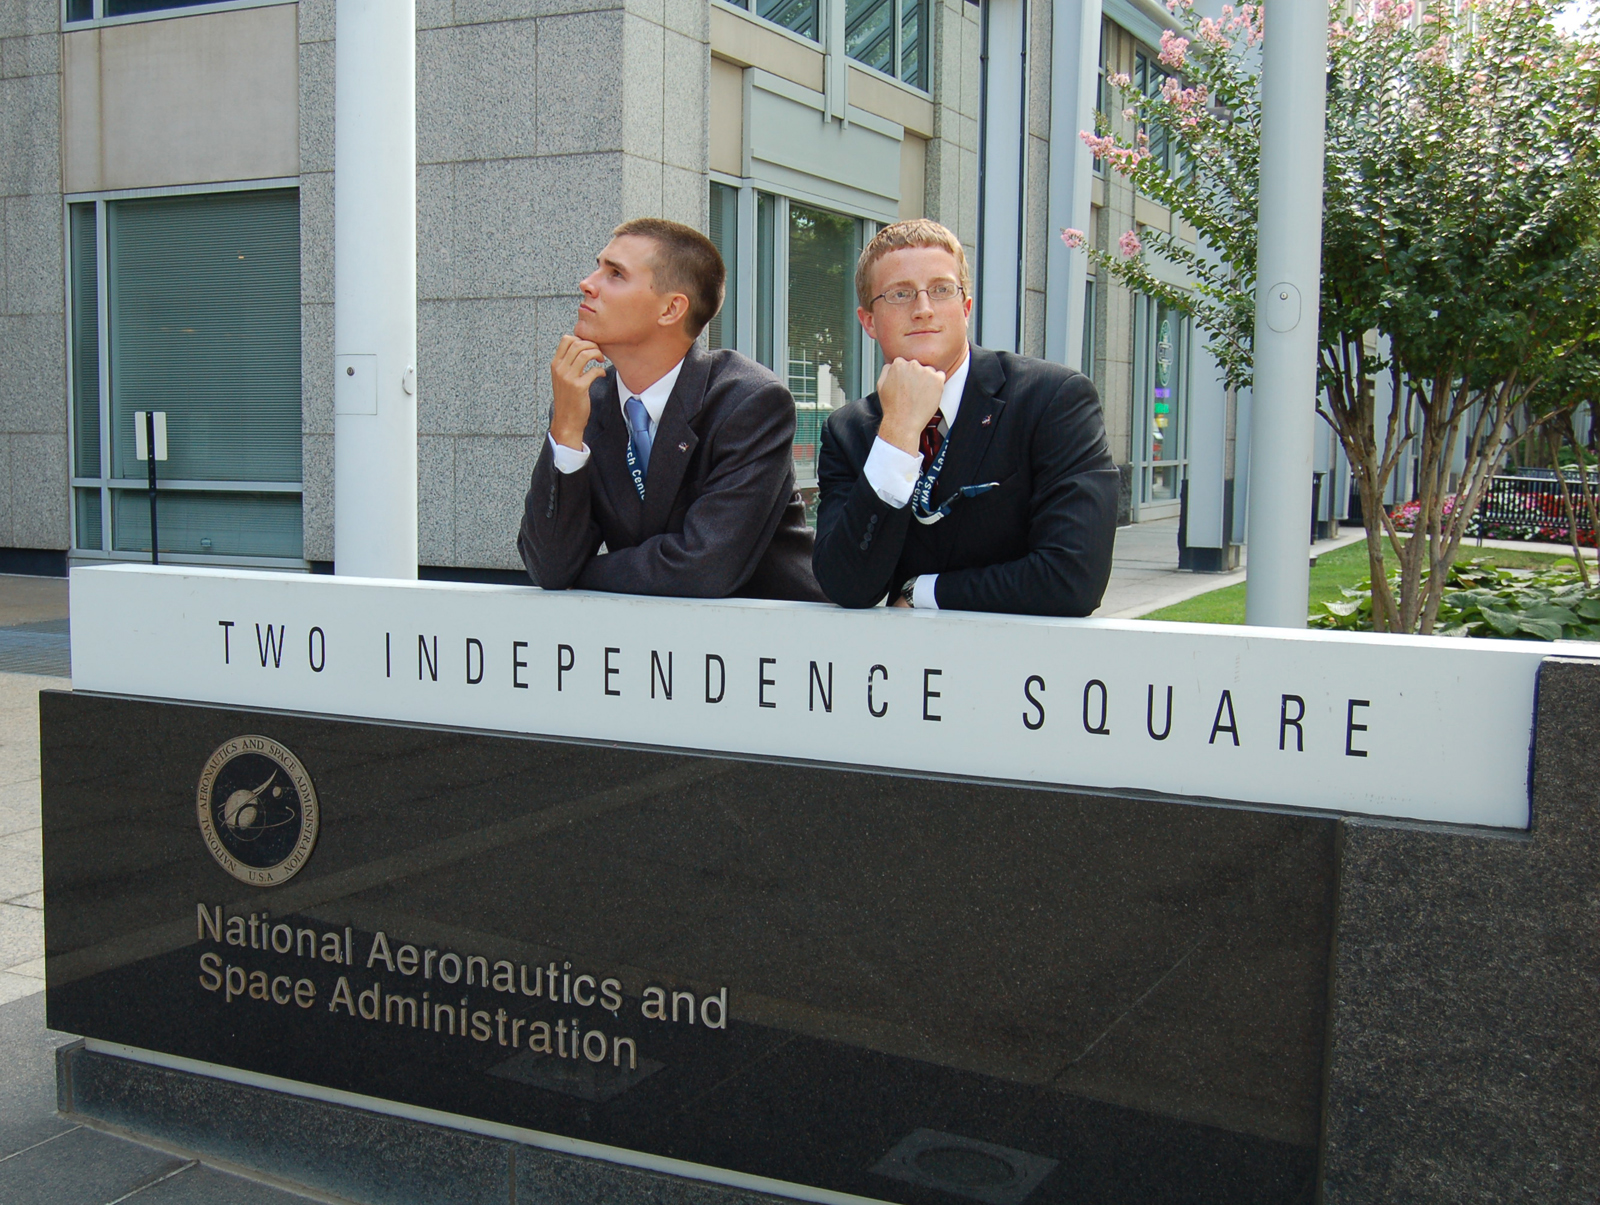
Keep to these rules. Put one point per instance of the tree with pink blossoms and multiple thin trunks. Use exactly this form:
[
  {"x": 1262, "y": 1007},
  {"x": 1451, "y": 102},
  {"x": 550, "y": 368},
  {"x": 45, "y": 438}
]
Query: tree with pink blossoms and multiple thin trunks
[{"x": 1462, "y": 239}]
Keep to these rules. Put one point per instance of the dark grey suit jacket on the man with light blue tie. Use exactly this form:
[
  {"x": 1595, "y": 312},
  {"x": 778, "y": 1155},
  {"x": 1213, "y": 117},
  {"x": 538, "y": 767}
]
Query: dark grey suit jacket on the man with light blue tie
[{"x": 721, "y": 514}]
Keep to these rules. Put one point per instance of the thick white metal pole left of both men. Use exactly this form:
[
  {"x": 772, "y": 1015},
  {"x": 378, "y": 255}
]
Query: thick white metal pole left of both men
[{"x": 375, "y": 290}]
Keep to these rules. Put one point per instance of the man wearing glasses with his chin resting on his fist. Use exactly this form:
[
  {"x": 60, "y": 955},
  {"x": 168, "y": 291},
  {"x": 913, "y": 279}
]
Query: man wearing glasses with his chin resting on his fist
[{"x": 970, "y": 481}]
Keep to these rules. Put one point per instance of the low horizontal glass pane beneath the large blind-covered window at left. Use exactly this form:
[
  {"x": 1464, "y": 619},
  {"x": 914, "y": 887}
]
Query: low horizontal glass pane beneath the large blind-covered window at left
[{"x": 194, "y": 522}]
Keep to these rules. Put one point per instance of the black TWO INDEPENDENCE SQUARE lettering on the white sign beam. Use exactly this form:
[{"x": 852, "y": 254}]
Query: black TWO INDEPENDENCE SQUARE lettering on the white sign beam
[{"x": 614, "y": 671}]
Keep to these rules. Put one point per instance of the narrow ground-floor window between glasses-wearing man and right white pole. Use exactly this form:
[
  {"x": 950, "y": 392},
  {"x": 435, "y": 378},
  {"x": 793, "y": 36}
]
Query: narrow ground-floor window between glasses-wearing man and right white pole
[{"x": 1161, "y": 404}]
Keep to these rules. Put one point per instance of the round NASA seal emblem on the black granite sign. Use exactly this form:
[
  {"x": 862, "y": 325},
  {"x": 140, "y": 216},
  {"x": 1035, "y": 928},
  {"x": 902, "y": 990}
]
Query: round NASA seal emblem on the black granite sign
[{"x": 258, "y": 811}]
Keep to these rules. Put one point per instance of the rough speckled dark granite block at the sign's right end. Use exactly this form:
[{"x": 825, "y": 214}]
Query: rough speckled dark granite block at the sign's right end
[{"x": 1465, "y": 1038}]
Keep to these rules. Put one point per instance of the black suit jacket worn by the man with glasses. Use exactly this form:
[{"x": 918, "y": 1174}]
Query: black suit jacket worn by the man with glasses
[{"x": 1038, "y": 545}]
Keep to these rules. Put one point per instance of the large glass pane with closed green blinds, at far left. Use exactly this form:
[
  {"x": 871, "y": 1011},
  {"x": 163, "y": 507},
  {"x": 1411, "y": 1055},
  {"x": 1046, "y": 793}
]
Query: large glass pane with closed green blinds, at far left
[{"x": 206, "y": 326}]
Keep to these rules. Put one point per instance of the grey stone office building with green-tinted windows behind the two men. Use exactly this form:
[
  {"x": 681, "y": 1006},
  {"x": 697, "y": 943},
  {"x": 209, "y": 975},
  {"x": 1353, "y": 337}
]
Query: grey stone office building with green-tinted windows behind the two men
[{"x": 169, "y": 241}]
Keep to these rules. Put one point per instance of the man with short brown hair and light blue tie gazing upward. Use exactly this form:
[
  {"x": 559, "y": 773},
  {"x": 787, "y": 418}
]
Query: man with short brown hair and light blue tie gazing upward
[{"x": 678, "y": 460}]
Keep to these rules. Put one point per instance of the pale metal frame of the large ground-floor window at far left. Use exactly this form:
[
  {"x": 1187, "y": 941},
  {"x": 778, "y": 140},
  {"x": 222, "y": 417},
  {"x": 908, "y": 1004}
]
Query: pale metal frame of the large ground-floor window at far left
[{"x": 106, "y": 482}]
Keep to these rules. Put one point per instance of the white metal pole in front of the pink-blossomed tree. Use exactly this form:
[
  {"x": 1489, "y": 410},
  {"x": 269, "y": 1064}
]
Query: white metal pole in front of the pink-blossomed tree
[{"x": 1289, "y": 282}]
